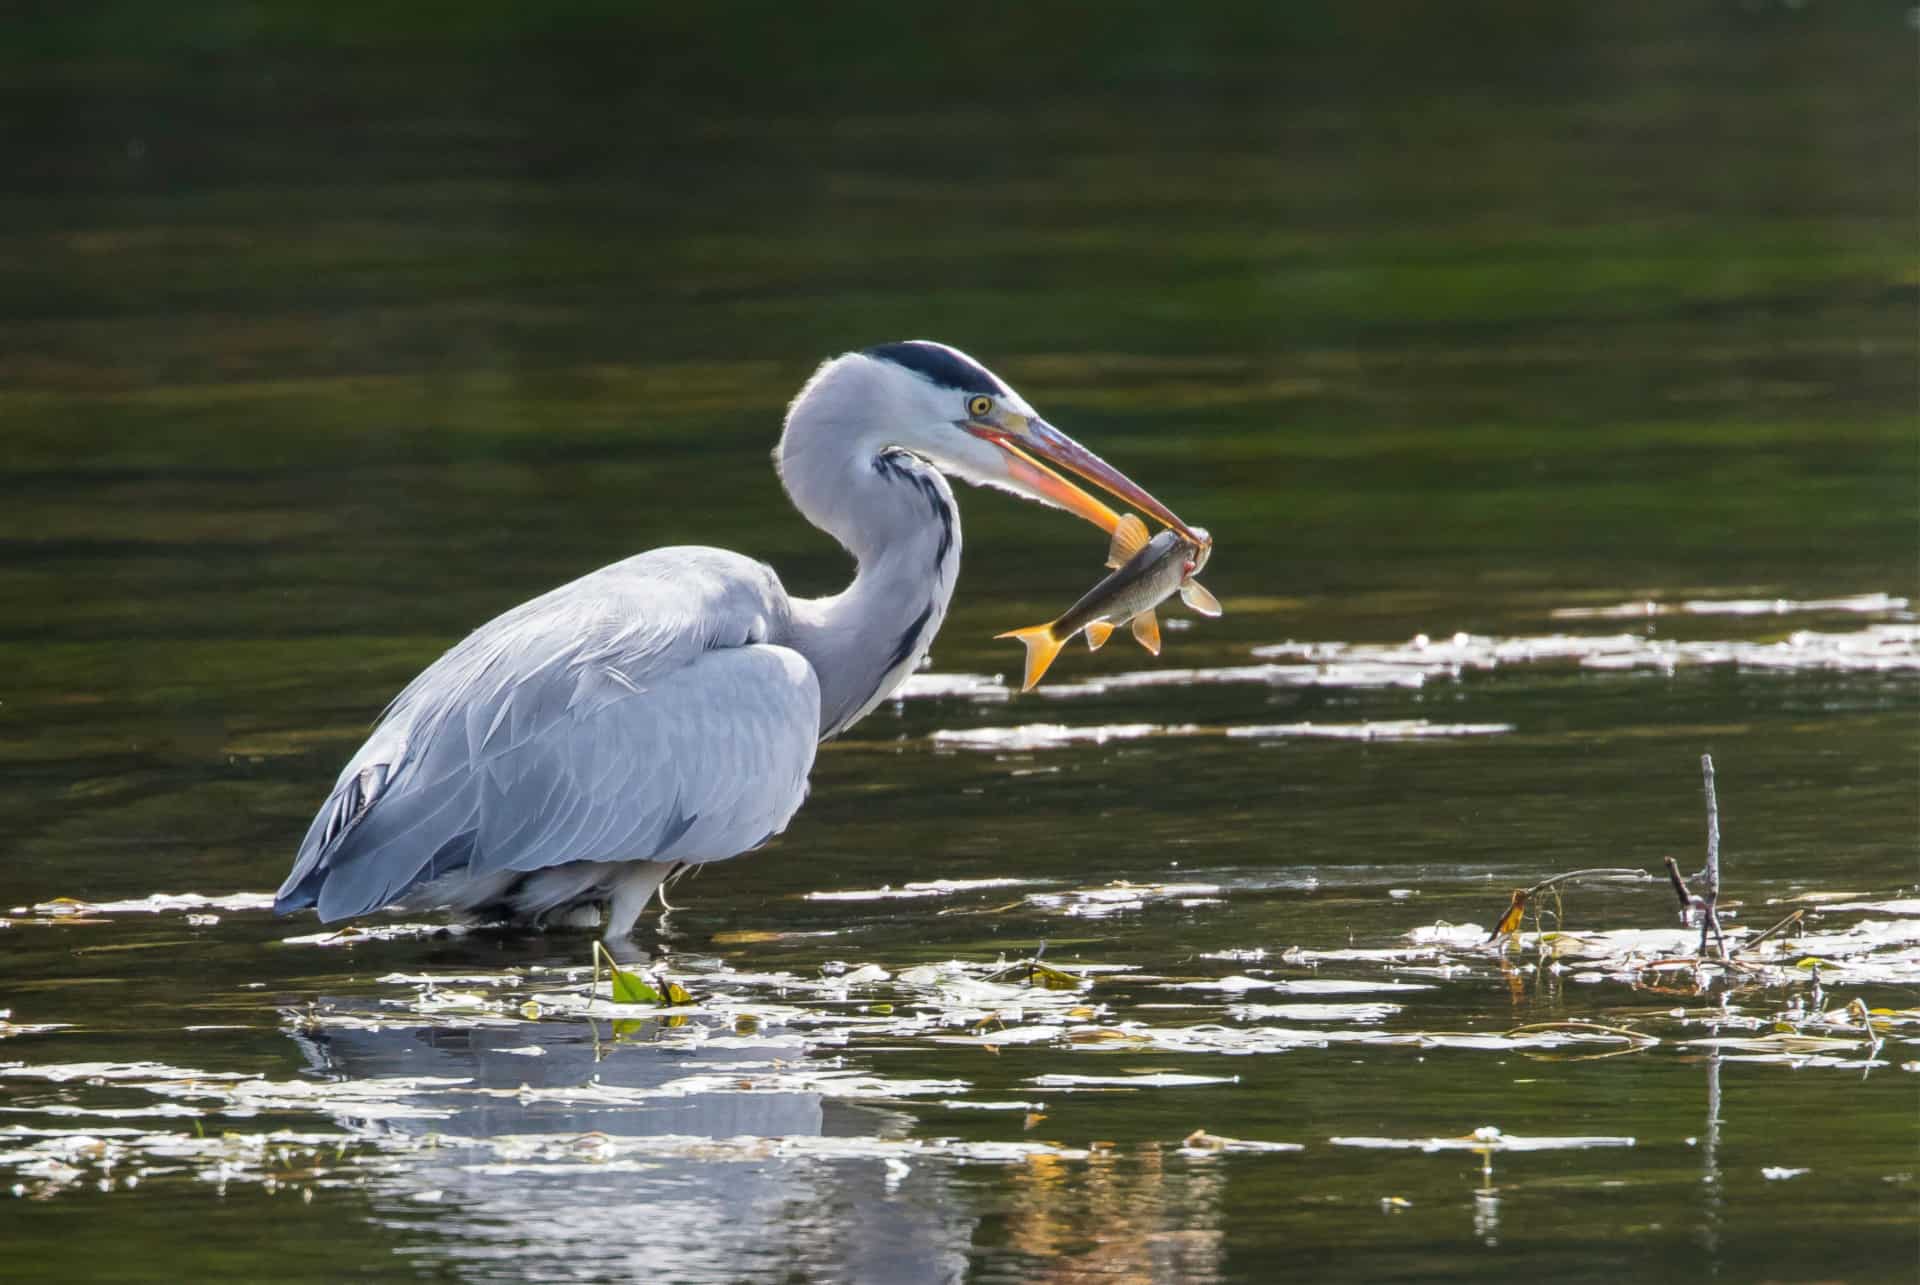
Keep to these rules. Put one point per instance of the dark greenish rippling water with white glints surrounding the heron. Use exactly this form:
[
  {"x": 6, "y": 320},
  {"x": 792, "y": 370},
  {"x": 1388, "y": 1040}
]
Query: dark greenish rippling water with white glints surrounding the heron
[{"x": 320, "y": 351}]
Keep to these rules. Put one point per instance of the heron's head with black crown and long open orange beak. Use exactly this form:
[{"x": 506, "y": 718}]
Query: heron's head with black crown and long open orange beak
[{"x": 971, "y": 424}]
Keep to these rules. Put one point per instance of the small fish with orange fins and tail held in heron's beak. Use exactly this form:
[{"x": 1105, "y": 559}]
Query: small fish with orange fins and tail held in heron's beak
[{"x": 1145, "y": 575}]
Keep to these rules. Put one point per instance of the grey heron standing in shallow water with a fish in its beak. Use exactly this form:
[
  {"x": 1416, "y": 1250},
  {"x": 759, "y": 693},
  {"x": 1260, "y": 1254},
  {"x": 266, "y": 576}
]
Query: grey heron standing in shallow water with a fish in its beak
[{"x": 665, "y": 712}]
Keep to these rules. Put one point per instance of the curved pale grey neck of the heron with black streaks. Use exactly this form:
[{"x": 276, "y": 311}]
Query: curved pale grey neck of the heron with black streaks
[{"x": 898, "y": 518}]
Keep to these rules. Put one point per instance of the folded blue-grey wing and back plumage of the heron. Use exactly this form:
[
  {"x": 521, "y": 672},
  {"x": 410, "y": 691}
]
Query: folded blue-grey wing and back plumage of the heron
[{"x": 635, "y": 715}]
